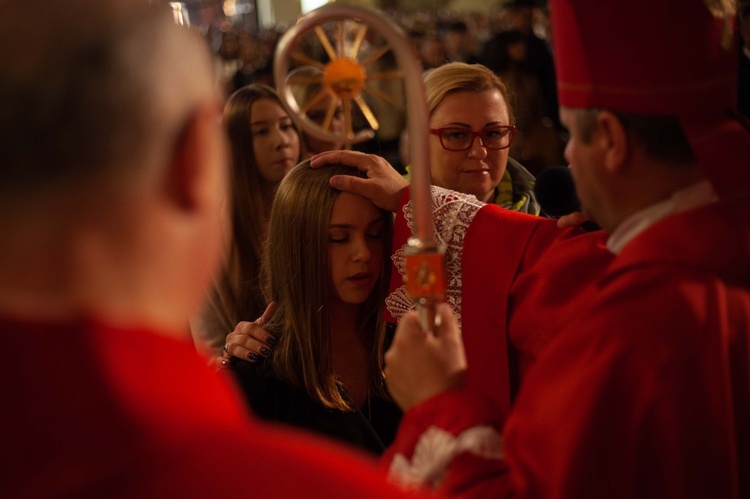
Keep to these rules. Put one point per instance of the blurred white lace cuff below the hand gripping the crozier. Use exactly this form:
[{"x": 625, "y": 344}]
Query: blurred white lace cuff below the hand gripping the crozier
[{"x": 435, "y": 451}]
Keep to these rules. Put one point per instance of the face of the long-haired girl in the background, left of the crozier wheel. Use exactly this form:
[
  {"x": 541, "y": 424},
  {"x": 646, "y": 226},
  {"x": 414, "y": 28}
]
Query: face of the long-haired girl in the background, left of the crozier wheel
[{"x": 275, "y": 141}]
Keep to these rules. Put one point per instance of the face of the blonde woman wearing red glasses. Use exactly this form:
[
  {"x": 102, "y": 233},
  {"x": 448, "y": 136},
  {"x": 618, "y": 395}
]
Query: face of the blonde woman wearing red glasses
[{"x": 477, "y": 170}]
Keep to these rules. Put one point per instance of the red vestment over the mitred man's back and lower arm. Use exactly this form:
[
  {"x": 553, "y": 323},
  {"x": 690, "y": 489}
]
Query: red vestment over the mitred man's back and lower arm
[{"x": 645, "y": 390}]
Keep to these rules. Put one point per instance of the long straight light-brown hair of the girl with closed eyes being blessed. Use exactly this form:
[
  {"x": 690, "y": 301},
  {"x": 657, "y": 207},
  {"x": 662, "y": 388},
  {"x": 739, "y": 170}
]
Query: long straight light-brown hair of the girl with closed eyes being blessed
[{"x": 295, "y": 275}]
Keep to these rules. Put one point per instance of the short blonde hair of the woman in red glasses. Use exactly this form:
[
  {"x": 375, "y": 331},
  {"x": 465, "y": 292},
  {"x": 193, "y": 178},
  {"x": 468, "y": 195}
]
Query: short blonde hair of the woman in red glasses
[{"x": 461, "y": 77}]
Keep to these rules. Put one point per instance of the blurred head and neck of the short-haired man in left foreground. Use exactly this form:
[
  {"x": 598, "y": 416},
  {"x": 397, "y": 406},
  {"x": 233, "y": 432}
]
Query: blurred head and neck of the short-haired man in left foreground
[{"x": 112, "y": 162}]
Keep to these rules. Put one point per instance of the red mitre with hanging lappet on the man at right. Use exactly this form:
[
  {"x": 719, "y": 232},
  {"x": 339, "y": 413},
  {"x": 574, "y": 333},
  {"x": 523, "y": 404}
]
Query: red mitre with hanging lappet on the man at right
[{"x": 664, "y": 57}]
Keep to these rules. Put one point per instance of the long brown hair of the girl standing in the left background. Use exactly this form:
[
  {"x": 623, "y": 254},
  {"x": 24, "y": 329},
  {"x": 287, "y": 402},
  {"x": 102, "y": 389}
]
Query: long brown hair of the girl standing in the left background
[{"x": 237, "y": 295}]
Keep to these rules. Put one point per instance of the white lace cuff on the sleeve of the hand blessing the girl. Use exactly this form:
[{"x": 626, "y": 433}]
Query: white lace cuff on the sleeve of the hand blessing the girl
[{"x": 452, "y": 212}]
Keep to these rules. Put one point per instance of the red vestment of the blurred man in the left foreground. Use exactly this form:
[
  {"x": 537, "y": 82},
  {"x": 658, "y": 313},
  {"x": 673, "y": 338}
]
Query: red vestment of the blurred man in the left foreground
[{"x": 97, "y": 411}]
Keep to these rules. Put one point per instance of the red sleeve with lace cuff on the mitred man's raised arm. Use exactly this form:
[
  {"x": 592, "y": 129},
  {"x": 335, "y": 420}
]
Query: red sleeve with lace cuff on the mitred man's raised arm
[{"x": 511, "y": 277}]
